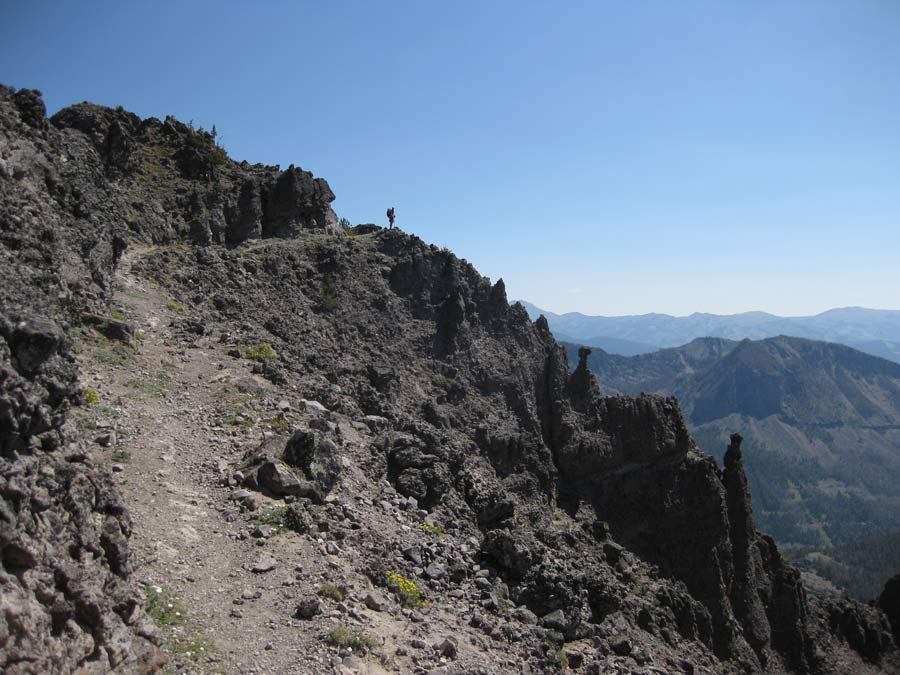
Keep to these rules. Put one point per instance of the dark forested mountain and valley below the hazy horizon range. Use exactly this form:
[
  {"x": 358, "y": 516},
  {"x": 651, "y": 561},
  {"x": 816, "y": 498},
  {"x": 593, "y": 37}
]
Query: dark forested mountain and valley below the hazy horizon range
[{"x": 821, "y": 426}]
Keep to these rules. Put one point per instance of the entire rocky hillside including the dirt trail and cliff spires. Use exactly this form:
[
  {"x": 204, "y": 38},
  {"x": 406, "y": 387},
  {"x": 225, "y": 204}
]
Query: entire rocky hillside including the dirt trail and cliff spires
[{"x": 337, "y": 449}]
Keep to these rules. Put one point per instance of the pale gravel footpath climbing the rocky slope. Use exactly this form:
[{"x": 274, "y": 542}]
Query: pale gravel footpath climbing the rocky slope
[{"x": 166, "y": 404}]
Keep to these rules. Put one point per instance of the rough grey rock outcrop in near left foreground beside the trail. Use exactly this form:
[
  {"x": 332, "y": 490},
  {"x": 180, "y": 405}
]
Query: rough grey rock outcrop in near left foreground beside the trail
[{"x": 65, "y": 598}]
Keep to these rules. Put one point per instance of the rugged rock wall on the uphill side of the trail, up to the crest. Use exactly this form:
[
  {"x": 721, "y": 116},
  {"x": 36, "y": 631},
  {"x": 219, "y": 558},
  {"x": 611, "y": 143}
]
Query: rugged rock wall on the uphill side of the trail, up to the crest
[{"x": 72, "y": 191}]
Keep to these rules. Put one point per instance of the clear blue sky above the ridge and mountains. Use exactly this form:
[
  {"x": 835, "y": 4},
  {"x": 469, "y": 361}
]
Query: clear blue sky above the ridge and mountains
[{"x": 605, "y": 157}]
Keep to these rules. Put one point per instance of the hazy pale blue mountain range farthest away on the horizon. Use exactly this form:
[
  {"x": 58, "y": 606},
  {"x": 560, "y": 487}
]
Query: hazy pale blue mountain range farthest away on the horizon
[{"x": 873, "y": 331}]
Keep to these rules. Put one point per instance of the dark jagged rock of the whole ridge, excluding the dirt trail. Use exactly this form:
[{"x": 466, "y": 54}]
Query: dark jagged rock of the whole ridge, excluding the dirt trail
[{"x": 444, "y": 439}]
